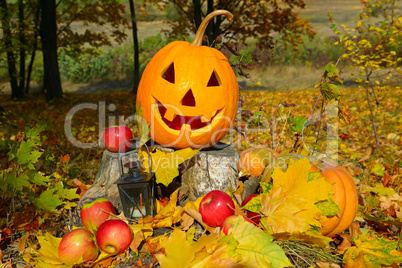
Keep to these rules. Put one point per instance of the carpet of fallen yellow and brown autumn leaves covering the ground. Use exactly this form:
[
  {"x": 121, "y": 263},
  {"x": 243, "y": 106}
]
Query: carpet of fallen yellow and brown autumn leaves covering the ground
[{"x": 288, "y": 233}]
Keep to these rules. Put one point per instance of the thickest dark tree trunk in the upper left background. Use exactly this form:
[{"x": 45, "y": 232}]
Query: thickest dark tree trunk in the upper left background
[{"x": 52, "y": 82}]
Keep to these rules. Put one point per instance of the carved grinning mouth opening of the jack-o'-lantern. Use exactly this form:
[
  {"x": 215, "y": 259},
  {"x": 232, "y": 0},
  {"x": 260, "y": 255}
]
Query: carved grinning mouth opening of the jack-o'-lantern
[{"x": 178, "y": 121}]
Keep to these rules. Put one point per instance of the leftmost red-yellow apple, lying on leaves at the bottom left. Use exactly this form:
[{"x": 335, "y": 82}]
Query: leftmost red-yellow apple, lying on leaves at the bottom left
[{"x": 78, "y": 245}]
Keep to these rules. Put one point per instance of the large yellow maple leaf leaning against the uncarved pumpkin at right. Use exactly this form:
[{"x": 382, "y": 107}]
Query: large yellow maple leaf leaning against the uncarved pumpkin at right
[{"x": 290, "y": 205}]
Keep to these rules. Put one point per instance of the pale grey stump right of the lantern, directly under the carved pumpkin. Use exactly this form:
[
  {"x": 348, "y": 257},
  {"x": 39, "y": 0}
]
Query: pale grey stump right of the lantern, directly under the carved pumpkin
[{"x": 214, "y": 168}]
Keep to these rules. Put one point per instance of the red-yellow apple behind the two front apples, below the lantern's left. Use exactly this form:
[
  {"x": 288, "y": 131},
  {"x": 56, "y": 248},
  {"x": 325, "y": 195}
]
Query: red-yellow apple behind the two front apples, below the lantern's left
[{"x": 95, "y": 213}]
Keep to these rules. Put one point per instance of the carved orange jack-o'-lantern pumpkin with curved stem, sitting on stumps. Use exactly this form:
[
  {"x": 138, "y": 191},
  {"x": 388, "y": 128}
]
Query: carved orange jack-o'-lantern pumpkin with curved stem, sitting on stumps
[{"x": 189, "y": 93}]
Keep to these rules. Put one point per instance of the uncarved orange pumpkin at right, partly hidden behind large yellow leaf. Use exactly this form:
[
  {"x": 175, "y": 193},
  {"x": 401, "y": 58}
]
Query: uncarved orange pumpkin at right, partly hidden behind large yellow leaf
[{"x": 343, "y": 190}]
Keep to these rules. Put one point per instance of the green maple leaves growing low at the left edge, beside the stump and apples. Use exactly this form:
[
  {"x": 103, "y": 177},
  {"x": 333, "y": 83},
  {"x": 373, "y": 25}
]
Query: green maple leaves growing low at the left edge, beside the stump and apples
[{"x": 23, "y": 181}]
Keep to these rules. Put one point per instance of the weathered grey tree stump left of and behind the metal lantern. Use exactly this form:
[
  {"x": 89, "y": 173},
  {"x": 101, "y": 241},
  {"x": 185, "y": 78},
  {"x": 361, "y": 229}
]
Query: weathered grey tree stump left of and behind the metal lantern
[{"x": 103, "y": 185}]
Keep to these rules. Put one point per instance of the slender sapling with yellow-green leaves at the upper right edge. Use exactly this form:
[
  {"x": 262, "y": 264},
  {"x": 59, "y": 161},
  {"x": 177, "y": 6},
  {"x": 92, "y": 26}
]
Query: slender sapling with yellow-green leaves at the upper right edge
[{"x": 373, "y": 45}]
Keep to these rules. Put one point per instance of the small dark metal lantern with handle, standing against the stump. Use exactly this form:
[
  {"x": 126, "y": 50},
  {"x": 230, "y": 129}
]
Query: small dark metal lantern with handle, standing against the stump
[{"x": 136, "y": 188}]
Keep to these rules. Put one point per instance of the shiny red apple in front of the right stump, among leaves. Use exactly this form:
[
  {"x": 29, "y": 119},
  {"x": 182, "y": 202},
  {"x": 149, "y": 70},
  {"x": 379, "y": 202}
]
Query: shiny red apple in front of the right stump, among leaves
[{"x": 215, "y": 207}]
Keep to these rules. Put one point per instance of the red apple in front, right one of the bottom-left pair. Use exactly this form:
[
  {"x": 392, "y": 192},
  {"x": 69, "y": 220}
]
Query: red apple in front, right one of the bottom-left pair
[{"x": 114, "y": 236}]
